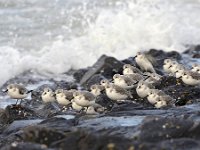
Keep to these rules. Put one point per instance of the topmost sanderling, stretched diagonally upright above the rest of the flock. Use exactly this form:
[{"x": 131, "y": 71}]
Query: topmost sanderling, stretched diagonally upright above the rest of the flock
[{"x": 144, "y": 63}]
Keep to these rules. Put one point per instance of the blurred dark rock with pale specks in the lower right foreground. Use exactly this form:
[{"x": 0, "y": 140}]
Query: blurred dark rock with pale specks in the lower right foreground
[{"x": 158, "y": 129}]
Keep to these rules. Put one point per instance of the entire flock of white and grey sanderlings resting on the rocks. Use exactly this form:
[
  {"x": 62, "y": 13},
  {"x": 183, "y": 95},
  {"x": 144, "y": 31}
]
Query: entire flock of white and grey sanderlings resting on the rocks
[{"x": 142, "y": 80}]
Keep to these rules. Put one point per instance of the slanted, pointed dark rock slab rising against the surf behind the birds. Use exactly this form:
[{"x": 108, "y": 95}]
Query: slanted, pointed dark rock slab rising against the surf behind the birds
[{"x": 106, "y": 66}]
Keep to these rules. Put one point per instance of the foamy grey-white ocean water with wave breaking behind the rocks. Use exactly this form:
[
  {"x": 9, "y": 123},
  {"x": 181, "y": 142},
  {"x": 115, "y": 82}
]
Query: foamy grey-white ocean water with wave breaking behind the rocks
[{"x": 54, "y": 36}]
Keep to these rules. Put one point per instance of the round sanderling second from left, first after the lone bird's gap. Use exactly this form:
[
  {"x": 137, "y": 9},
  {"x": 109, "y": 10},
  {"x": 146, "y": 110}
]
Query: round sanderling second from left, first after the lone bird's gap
[{"x": 48, "y": 95}]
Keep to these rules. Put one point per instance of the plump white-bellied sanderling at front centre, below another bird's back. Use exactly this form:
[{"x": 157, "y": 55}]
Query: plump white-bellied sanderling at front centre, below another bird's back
[{"x": 115, "y": 92}]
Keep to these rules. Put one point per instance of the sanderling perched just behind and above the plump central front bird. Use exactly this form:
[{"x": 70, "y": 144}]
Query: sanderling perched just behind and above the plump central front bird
[{"x": 124, "y": 81}]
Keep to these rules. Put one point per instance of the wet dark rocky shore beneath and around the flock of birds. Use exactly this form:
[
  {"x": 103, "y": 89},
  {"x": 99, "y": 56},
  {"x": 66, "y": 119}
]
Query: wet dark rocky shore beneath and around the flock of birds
[{"x": 127, "y": 125}]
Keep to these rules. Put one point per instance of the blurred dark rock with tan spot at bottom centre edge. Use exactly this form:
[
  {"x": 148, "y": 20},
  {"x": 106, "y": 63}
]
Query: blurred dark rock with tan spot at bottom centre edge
[{"x": 83, "y": 140}]
